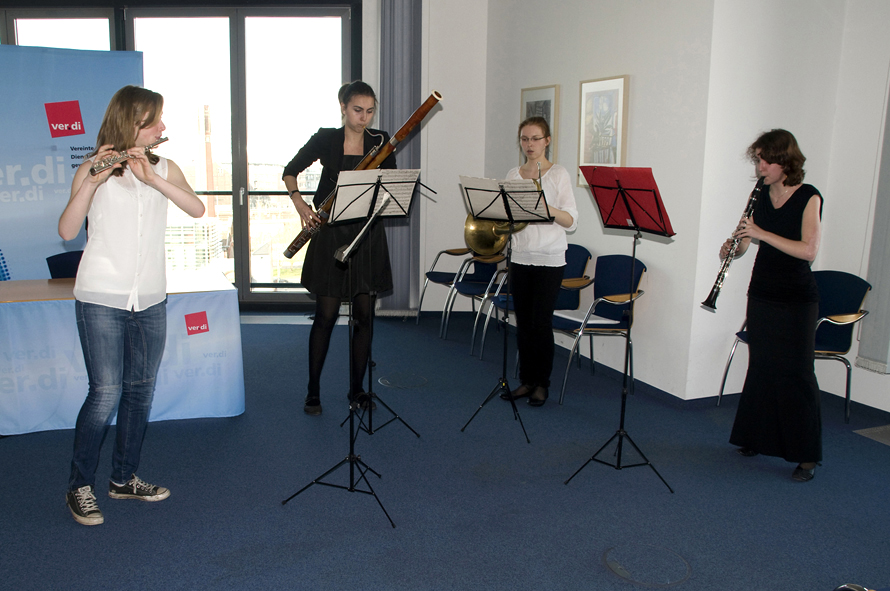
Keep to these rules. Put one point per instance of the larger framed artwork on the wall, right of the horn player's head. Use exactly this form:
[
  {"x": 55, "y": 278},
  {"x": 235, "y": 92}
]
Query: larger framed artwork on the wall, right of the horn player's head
[{"x": 603, "y": 123}]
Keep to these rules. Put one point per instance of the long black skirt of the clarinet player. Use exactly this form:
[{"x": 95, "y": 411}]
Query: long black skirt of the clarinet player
[{"x": 779, "y": 411}]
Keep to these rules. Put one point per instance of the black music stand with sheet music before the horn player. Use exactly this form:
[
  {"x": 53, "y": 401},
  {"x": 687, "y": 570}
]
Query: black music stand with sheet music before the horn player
[{"x": 505, "y": 201}]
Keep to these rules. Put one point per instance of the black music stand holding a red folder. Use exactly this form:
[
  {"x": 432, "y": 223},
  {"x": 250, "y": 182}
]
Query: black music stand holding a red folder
[{"x": 627, "y": 199}]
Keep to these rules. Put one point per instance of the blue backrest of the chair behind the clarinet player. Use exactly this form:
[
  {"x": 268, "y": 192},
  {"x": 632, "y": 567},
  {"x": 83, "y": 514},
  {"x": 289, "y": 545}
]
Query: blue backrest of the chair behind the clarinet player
[{"x": 839, "y": 293}]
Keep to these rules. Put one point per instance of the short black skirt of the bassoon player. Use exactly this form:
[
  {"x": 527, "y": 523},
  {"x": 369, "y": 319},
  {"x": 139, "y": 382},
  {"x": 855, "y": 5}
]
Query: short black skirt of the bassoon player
[{"x": 368, "y": 267}]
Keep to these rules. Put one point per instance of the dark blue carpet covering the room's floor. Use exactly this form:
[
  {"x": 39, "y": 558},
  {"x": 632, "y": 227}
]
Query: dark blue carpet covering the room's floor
[{"x": 479, "y": 509}]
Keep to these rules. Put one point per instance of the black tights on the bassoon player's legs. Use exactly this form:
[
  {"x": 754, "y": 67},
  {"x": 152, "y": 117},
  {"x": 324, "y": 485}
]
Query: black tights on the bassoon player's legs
[{"x": 327, "y": 310}]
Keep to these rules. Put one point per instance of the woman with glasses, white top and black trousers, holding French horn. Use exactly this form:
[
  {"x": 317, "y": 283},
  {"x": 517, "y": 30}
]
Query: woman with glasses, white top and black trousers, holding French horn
[{"x": 538, "y": 260}]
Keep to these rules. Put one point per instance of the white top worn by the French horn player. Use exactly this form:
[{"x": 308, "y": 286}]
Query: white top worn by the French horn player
[{"x": 544, "y": 244}]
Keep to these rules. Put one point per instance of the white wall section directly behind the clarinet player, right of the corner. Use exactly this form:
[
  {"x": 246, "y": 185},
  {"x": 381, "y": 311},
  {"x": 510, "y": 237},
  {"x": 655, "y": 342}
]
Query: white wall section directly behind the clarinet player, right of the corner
[{"x": 769, "y": 71}]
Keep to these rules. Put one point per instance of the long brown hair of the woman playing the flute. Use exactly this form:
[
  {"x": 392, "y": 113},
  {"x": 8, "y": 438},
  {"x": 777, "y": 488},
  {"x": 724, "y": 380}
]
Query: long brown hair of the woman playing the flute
[{"x": 130, "y": 109}]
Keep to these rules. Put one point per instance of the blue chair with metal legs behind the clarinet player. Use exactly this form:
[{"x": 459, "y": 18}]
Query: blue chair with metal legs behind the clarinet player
[{"x": 840, "y": 301}]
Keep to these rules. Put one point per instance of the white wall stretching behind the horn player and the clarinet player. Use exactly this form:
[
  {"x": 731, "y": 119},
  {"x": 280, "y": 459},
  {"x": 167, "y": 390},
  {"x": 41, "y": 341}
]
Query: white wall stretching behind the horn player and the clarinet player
[{"x": 706, "y": 77}]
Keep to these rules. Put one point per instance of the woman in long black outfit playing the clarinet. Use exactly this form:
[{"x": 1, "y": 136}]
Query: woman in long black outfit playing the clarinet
[{"x": 779, "y": 412}]
